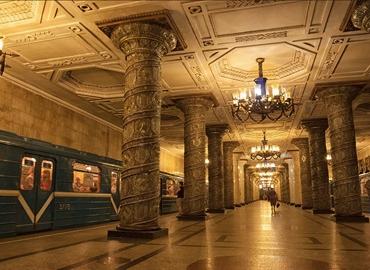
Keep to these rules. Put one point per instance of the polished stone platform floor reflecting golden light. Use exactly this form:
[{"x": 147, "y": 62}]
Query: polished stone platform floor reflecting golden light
[{"x": 245, "y": 238}]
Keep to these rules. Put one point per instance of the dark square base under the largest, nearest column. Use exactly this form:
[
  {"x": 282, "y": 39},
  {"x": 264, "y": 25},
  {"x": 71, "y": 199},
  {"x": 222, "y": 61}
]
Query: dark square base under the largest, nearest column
[{"x": 149, "y": 234}]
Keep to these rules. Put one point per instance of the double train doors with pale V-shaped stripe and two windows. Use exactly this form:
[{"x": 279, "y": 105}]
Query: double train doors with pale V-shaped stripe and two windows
[{"x": 36, "y": 186}]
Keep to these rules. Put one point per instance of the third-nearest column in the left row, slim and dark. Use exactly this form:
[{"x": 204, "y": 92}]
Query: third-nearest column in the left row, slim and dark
[{"x": 216, "y": 168}]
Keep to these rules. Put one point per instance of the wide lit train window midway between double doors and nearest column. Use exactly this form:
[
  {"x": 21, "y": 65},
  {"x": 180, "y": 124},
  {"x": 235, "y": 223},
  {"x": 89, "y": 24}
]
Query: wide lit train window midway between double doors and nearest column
[{"x": 86, "y": 178}]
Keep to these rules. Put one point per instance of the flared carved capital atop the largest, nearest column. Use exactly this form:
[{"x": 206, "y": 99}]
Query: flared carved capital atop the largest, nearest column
[{"x": 143, "y": 37}]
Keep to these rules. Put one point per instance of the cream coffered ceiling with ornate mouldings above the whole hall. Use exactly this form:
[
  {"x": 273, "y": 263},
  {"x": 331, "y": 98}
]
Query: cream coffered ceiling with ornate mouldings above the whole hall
[{"x": 65, "y": 55}]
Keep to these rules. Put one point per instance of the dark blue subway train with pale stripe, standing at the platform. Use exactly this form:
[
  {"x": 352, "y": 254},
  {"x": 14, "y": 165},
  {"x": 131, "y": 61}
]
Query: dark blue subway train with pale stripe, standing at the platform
[{"x": 45, "y": 186}]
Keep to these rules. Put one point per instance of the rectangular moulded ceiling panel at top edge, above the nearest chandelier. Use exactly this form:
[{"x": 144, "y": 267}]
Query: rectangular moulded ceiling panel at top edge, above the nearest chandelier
[{"x": 221, "y": 22}]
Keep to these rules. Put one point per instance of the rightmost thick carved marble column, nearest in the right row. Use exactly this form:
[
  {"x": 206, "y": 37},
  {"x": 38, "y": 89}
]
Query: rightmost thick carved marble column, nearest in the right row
[{"x": 338, "y": 104}]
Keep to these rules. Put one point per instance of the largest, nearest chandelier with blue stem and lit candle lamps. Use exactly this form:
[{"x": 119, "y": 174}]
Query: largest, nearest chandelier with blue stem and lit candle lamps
[{"x": 262, "y": 103}]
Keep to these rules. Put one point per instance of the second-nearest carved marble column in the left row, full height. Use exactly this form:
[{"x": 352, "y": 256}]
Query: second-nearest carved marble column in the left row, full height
[{"x": 194, "y": 109}]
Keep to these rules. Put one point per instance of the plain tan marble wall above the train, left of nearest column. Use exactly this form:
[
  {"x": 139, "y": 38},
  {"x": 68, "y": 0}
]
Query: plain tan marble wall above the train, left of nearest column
[{"x": 34, "y": 116}]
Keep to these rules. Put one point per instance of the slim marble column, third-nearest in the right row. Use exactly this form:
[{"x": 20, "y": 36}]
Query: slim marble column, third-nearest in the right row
[{"x": 305, "y": 171}]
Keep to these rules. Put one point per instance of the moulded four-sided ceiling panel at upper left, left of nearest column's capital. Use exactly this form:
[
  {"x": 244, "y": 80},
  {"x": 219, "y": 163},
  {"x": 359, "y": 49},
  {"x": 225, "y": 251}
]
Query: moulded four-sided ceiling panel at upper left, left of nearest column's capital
[{"x": 58, "y": 47}]
